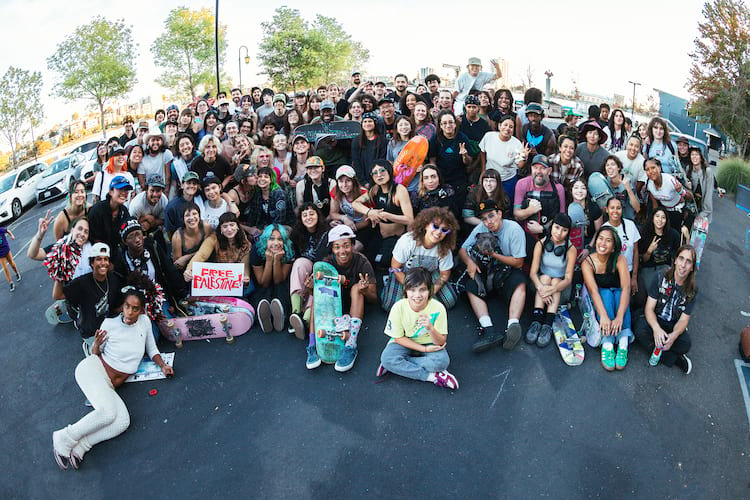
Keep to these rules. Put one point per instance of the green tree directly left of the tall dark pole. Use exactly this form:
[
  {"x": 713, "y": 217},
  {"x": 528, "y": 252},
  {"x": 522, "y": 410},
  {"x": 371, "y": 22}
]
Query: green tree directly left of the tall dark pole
[{"x": 186, "y": 51}]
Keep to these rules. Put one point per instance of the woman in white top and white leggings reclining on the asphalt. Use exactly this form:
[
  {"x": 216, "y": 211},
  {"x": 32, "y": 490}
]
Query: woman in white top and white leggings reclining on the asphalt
[{"x": 117, "y": 350}]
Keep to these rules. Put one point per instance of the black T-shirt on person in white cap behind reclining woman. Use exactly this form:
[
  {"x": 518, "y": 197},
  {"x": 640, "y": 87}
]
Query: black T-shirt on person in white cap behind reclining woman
[{"x": 93, "y": 300}]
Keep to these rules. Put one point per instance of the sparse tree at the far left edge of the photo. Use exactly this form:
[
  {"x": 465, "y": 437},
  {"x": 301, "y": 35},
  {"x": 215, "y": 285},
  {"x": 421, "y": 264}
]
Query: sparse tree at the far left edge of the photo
[{"x": 20, "y": 103}]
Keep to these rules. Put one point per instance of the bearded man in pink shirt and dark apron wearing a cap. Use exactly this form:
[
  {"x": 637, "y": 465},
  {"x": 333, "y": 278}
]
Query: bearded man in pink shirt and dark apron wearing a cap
[{"x": 538, "y": 200}]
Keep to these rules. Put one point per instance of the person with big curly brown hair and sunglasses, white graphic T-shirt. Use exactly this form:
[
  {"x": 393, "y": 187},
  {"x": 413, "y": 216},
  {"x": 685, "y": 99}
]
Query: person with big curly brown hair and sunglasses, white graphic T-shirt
[{"x": 428, "y": 244}]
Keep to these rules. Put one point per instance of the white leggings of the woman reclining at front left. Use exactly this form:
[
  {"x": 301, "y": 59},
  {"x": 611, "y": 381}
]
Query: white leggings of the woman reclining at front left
[{"x": 109, "y": 418}]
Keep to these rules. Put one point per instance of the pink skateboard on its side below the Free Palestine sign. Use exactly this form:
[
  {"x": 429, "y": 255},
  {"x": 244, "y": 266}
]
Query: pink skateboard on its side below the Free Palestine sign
[{"x": 206, "y": 326}]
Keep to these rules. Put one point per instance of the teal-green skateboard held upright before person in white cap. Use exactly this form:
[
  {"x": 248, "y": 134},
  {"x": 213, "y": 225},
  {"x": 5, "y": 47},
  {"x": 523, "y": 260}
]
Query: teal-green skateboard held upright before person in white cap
[{"x": 327, "y": 306}]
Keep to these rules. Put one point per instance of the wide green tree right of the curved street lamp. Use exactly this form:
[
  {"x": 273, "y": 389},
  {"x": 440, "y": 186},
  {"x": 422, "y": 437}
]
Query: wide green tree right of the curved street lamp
[{"x": 294, "y": 54}]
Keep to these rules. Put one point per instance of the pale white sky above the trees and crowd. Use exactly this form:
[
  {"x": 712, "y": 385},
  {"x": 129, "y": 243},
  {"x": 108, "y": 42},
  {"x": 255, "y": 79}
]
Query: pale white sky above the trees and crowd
[{"x": 599, "y": 45}]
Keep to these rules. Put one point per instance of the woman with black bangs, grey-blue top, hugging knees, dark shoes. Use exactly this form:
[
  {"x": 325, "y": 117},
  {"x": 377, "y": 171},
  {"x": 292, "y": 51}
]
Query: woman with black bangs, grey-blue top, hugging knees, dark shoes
[{"x": 551, "y": 272}]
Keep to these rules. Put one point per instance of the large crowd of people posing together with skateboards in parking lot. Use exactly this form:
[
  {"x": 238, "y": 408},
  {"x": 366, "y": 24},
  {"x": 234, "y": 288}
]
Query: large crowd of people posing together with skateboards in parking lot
[{"x": 502, "y": 210}]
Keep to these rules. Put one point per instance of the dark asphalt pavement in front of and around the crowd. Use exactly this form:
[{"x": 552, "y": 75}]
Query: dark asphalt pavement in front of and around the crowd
[{"x": 249, "y": 420}]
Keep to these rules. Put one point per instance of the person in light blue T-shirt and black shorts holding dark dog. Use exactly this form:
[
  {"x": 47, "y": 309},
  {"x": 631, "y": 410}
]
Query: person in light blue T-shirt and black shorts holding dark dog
[{"x": 496, "y": 267}]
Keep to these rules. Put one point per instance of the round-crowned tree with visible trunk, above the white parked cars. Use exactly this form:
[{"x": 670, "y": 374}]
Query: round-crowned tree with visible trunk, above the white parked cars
[{"x": 95, "y": 62}]
